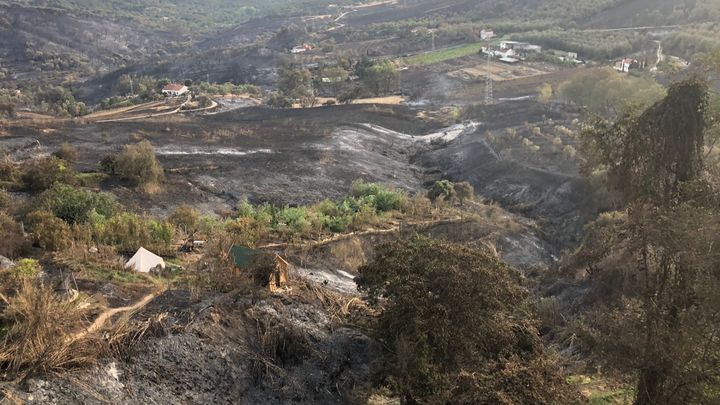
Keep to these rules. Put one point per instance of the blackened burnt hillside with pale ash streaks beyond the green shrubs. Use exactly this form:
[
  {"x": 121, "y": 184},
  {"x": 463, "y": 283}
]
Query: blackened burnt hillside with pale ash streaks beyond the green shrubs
[{"x": 307, "y": 155}]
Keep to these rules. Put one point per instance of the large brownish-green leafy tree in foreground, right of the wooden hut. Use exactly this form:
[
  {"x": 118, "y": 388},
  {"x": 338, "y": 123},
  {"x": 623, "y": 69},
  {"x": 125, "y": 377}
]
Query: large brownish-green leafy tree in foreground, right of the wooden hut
[{"x": 458, "y": 327}]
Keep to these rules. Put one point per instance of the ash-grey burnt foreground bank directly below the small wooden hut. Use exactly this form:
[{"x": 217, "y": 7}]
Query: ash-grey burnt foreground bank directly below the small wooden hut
[{"x": 217, "y": 351}]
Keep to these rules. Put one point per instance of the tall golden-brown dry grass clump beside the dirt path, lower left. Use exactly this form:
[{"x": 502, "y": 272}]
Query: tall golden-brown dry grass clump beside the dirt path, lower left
[{"x": 45, "y": 333}]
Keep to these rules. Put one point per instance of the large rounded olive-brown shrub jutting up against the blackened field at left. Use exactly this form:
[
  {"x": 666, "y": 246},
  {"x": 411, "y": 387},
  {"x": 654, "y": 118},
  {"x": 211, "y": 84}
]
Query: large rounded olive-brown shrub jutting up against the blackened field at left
[{"x": 138, "y": 164}]
